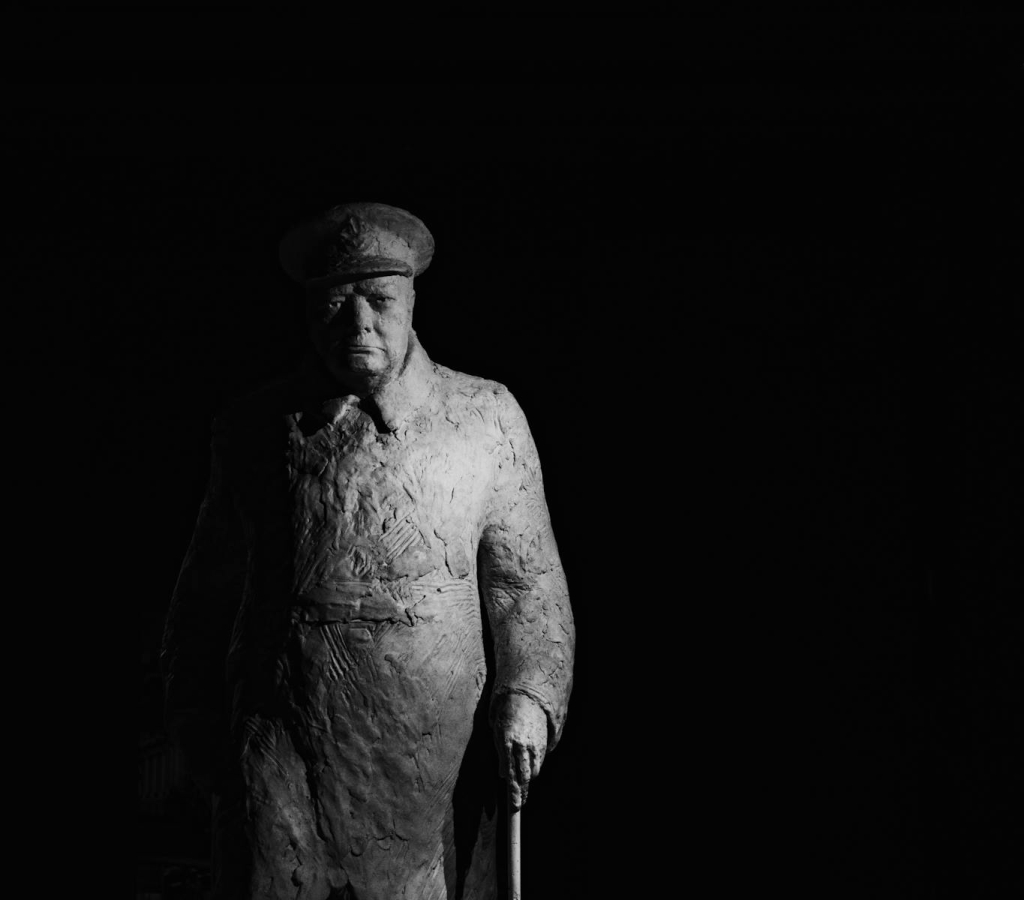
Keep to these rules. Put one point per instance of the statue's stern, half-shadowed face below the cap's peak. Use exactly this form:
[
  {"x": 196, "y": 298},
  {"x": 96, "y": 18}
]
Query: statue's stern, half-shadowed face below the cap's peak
[{"x": 362, "y": 330}]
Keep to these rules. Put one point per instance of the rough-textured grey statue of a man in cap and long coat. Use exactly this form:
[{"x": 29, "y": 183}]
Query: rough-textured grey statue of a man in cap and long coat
[{"x": 374, "y": 532}]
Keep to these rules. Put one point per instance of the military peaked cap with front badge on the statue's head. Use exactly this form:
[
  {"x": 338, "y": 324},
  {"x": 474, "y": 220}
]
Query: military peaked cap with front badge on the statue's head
[{"x": 357, "y": 241}]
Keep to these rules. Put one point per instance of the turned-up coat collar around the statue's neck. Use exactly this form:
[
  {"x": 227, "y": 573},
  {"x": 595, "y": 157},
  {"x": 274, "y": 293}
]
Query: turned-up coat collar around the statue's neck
[{"x": 397, "y": 402}]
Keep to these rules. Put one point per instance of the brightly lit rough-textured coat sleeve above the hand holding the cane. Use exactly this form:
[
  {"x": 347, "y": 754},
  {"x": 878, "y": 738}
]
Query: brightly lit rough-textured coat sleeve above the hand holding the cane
[{"x": 523, "y": 581}]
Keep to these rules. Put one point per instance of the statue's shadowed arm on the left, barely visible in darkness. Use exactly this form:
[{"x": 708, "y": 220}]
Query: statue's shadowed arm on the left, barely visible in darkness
[{"x": 198, "y": 628}]
